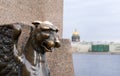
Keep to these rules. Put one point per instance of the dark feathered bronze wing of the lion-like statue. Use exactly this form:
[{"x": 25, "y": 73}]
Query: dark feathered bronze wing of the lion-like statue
[{"x": 9, "y": 34}]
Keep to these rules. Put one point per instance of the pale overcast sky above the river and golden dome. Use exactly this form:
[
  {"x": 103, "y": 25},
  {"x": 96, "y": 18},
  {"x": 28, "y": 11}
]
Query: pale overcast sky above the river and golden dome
[{"x": 95, "y": 20}]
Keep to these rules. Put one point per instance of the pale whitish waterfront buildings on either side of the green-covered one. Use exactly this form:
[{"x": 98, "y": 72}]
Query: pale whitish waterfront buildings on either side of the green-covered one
[{"x": 87, "y": 46}]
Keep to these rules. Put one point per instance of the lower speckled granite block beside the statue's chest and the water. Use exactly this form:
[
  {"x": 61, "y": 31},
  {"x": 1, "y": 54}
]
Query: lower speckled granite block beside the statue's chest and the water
[{"x": 60, "y": 60}]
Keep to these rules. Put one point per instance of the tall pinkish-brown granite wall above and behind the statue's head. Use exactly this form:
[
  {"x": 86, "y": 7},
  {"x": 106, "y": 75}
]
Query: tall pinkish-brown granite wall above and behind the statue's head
[{"x": 26, "y": 11}]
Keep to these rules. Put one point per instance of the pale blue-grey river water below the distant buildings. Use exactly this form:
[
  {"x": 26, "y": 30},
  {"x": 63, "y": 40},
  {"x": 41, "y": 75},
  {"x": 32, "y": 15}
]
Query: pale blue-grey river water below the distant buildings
[{"x": 96, "y": 65}]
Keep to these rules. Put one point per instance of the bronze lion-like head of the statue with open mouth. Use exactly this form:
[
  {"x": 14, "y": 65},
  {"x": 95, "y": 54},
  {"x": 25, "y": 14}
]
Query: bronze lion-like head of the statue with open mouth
[{"x": 44, "y": 36}]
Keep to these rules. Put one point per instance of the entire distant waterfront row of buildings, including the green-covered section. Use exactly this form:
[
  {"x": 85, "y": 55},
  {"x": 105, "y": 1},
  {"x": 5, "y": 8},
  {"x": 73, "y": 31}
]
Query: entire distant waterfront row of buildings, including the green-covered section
[{"x": 98, "y": 46}]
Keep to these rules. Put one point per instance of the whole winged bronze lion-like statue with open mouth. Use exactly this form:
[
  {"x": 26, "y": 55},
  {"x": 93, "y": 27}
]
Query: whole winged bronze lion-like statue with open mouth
[{"x": 32, "y": 62}]
